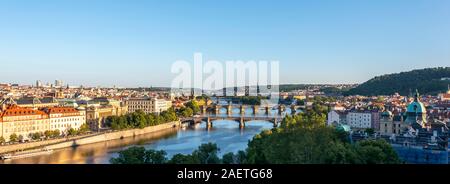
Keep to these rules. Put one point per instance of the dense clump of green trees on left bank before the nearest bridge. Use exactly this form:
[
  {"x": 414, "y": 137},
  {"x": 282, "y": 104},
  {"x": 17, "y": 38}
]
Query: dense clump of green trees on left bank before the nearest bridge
[{"x": 140, "y": 119}]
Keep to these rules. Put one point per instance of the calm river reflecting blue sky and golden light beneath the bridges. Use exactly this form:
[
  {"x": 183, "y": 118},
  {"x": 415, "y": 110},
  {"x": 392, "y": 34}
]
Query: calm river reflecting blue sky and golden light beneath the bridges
[{"x": 225, "y": 133}]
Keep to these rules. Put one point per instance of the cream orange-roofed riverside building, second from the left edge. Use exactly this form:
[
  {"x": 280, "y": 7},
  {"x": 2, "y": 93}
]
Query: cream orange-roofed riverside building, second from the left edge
[{"x": 65, "y": 118}]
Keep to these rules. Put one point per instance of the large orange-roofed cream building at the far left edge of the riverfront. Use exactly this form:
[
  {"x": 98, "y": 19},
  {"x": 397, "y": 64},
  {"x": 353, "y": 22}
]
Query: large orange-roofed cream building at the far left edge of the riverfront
[{"x": 22, "y": 122}]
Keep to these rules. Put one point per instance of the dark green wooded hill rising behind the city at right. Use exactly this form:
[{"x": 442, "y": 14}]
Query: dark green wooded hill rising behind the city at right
[{"x": 427, "y": 81}]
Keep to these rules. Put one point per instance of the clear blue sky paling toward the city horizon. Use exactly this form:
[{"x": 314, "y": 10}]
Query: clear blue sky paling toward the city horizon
[{"x": 134, "y": 42}]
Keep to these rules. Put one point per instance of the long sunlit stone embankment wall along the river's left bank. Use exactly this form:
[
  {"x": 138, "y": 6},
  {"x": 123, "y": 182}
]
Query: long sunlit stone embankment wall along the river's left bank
[{"x": 87, "y": 139}]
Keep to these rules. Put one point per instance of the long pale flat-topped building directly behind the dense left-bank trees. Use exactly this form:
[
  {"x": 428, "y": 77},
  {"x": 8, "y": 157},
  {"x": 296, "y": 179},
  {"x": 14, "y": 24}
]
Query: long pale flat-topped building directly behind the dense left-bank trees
[{"x": 148, "y": 105}]
